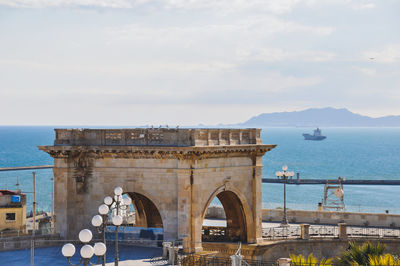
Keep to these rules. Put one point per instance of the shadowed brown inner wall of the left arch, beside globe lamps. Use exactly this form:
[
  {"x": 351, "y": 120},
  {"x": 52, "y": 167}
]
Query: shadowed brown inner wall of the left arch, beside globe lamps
[{"x": 146, "y": 212}]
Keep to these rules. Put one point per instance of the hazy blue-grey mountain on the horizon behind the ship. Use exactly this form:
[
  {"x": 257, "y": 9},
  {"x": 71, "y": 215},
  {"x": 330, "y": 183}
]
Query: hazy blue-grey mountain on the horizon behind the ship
[{"x": 321, "y": 117}]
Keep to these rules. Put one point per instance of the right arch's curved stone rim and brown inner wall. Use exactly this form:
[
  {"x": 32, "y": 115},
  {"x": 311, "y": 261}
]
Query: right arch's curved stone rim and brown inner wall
[{"x": 237, "y": 211}]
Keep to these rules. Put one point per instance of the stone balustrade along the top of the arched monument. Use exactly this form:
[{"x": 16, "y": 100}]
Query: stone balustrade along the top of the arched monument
[{"x": 157, "y": 137}]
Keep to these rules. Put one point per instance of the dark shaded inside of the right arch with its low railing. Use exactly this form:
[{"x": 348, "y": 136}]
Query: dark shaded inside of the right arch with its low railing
[{"x": 236, "y": 218}]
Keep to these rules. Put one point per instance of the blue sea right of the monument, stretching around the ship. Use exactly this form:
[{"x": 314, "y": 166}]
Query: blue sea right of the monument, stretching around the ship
[{"x": 354, "y": 153}]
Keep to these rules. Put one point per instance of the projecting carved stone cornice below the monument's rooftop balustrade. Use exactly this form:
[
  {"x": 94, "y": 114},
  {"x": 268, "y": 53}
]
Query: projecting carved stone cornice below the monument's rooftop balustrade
[{"x": 159, "y": 152}]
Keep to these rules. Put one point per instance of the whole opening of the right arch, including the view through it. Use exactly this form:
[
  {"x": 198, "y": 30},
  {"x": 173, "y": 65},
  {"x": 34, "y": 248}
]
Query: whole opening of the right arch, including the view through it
[{"x": 234, "y": 227}]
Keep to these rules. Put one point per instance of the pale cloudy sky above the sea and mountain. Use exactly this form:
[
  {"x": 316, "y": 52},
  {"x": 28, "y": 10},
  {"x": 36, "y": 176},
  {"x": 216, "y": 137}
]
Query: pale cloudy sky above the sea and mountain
[{"x": 185, "y": 62}]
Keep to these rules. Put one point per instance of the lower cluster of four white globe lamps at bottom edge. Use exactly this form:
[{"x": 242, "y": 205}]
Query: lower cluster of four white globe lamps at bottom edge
[{"x": 87, "y": 251}]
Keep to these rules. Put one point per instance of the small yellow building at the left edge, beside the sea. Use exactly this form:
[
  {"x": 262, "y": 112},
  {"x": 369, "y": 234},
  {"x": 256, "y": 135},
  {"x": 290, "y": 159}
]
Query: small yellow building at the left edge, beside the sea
[{"x": 12, "y": 210}]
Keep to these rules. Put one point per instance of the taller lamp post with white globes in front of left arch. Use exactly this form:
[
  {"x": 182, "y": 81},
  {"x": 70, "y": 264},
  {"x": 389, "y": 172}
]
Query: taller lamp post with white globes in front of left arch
[{"x": 115, "y": 205}]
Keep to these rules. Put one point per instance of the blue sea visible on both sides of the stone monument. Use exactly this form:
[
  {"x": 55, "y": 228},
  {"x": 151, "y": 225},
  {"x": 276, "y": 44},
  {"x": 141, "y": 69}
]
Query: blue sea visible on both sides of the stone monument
[{"x": 353, "y": 153}]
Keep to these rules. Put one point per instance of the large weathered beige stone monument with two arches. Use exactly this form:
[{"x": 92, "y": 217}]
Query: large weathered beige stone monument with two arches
[{"x": 172, "y": 175}]
